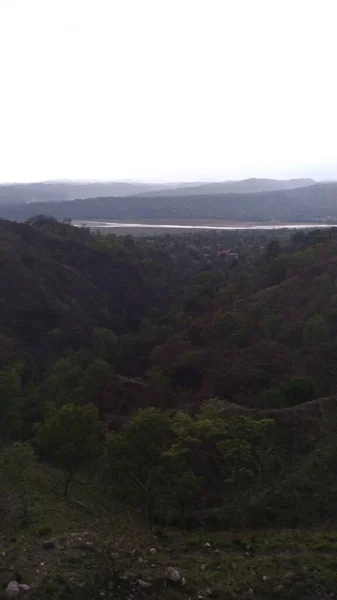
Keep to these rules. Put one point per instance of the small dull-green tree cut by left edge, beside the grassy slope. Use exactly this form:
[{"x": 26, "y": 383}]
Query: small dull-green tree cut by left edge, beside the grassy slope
[{"x": 16, "y": 464}]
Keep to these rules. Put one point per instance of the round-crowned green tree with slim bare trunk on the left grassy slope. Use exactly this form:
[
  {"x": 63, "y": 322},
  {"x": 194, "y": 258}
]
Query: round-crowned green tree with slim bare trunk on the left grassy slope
[{"x": 69, "y": 438}]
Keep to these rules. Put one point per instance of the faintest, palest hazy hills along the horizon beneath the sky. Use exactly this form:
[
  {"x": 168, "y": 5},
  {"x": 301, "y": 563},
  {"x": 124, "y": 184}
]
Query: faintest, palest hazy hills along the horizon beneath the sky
[{"x": 60, "y": 191}]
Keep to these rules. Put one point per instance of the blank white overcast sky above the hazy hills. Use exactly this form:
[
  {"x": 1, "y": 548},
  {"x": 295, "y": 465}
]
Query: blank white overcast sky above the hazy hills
[{"x": 174, "y": 90}]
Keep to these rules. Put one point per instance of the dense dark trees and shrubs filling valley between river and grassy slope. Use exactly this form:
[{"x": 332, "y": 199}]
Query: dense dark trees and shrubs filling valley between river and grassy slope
[{"x": 189, "y": 379}]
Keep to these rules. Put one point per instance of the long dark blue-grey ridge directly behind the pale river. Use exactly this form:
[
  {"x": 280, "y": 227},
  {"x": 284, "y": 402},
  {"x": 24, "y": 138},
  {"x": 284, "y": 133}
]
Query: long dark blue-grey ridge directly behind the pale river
[{"x": 312, "y": 203}]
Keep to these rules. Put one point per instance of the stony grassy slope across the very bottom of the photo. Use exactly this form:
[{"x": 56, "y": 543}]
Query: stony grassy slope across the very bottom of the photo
[{"x": 235, "y": 565}]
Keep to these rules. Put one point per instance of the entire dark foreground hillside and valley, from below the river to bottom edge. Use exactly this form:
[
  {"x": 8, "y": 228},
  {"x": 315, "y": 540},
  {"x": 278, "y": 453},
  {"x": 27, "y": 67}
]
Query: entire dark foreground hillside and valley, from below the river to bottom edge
[{"x": 168, "y": 408}]
